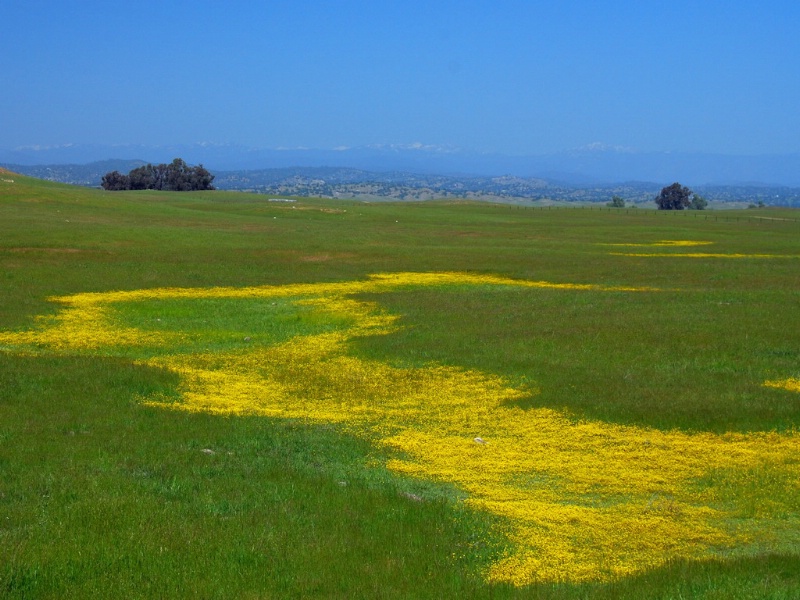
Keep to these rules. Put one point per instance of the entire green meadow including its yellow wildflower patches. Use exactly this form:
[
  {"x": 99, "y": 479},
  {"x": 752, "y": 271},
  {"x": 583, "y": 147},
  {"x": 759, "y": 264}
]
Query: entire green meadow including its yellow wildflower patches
[{"x": 215, "y": 395}]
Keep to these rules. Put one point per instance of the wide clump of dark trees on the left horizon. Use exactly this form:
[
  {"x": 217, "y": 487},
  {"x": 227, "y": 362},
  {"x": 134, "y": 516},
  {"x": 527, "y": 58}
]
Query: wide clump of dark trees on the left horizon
[{"x": 175, "y": 177}]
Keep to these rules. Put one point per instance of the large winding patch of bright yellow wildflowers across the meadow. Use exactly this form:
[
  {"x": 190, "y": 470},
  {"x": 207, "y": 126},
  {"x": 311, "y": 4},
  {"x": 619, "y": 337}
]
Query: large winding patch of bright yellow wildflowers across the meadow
[{"x": 579, "y": 501}]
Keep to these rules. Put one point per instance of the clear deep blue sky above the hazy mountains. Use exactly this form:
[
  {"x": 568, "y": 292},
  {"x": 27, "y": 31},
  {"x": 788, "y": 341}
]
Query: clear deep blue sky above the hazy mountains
[{"x": 516, "y": 77}]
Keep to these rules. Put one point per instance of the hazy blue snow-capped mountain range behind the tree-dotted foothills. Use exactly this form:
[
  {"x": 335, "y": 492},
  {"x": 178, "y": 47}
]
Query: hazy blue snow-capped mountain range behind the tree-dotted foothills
[{"x": 594, "y": 164}]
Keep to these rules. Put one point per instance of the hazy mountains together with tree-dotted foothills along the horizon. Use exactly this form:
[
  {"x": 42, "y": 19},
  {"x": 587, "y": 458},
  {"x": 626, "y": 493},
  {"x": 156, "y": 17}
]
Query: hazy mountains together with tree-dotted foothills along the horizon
[{"x": 418, "y": 172}]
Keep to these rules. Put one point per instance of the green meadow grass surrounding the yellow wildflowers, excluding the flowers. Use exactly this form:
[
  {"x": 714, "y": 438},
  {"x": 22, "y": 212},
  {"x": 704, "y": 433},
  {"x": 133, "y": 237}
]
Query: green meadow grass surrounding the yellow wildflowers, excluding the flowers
[{"x": 106, "y": 496}]
